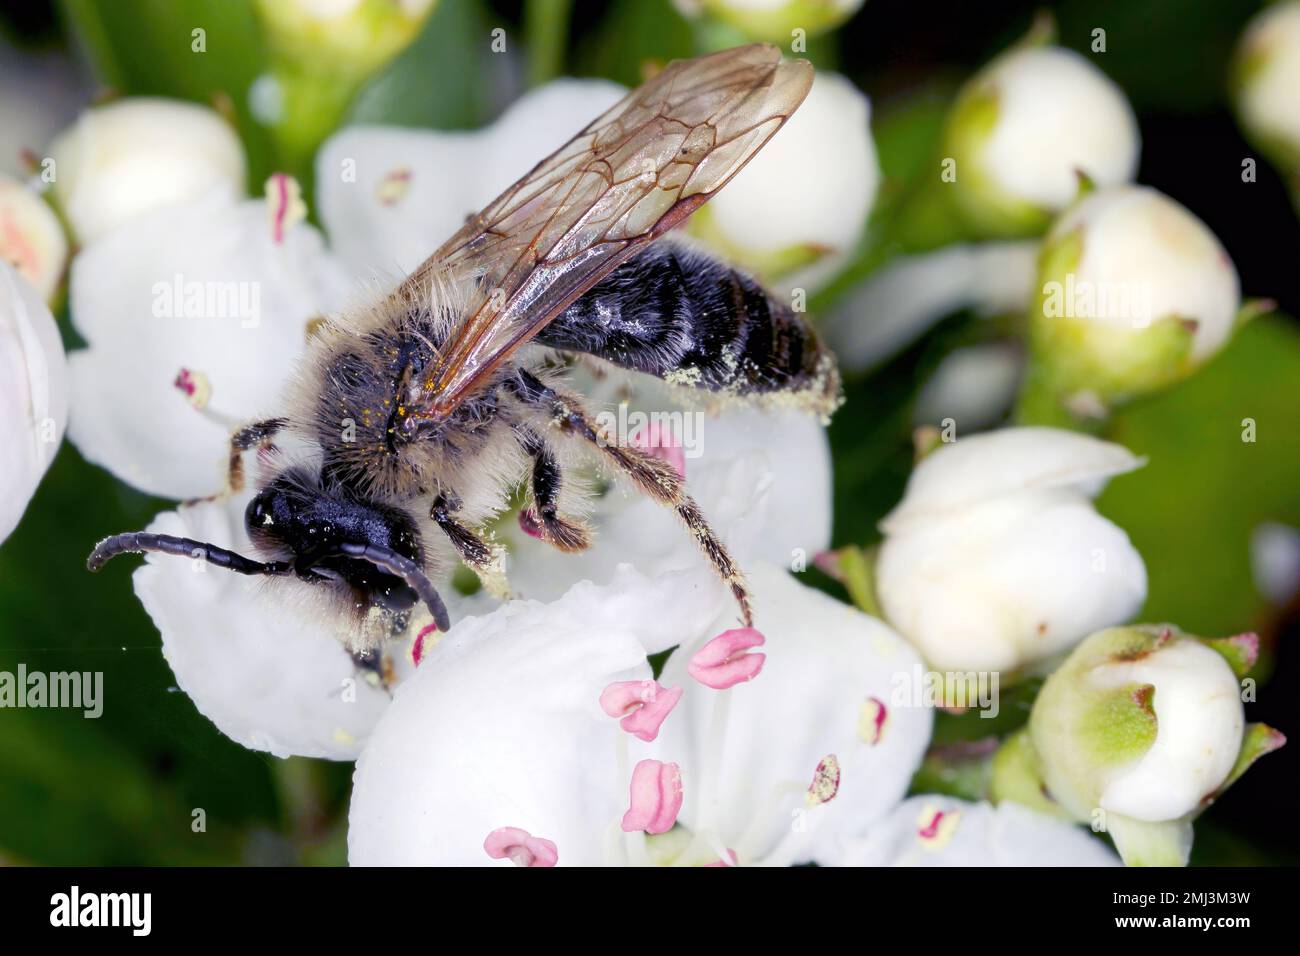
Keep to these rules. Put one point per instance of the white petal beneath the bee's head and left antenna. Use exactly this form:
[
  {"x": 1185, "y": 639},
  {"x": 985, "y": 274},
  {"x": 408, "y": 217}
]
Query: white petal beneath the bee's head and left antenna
[{"x": 257, "y": 656}]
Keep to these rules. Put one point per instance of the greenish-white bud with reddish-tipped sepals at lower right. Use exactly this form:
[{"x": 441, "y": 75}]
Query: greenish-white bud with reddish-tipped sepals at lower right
[{"x": 1141, "y": 729}]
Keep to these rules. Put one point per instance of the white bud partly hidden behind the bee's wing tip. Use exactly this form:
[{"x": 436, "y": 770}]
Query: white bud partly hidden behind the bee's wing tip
[{"x": 799, "y": 209}]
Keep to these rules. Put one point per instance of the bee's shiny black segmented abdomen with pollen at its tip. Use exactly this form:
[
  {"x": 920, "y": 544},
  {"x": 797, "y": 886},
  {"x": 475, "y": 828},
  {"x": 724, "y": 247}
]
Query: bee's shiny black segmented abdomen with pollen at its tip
[{"x": 684, "y": 317}]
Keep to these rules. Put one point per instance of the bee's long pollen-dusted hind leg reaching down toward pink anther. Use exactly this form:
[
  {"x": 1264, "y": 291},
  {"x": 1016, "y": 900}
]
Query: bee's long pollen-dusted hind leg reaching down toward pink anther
[{"x": 655, "y": 477}]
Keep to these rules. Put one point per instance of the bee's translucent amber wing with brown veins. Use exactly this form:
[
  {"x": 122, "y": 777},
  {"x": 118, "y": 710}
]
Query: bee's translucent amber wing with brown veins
[{"x": 634, "y": 174}]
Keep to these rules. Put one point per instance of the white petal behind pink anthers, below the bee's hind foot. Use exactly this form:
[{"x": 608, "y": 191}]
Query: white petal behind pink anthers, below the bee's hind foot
[{"x": 826, "y": 663}]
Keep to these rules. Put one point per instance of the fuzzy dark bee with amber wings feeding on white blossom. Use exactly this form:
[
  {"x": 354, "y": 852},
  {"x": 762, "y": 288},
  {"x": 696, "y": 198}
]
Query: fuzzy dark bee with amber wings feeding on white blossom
[{"x": 424, "y": 412}]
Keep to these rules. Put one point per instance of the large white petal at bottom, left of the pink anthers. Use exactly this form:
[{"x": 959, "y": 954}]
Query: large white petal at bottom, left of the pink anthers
[{"x": 502, "y": 726}]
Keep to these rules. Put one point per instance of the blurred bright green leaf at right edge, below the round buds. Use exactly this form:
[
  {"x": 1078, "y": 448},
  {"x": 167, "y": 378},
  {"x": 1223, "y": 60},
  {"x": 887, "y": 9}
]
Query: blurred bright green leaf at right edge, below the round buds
[{"x": 1207, "y": 486}]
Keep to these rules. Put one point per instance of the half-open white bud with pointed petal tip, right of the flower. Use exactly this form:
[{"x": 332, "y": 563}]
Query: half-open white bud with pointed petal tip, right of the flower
[{"x": 996, "y": 559}]
